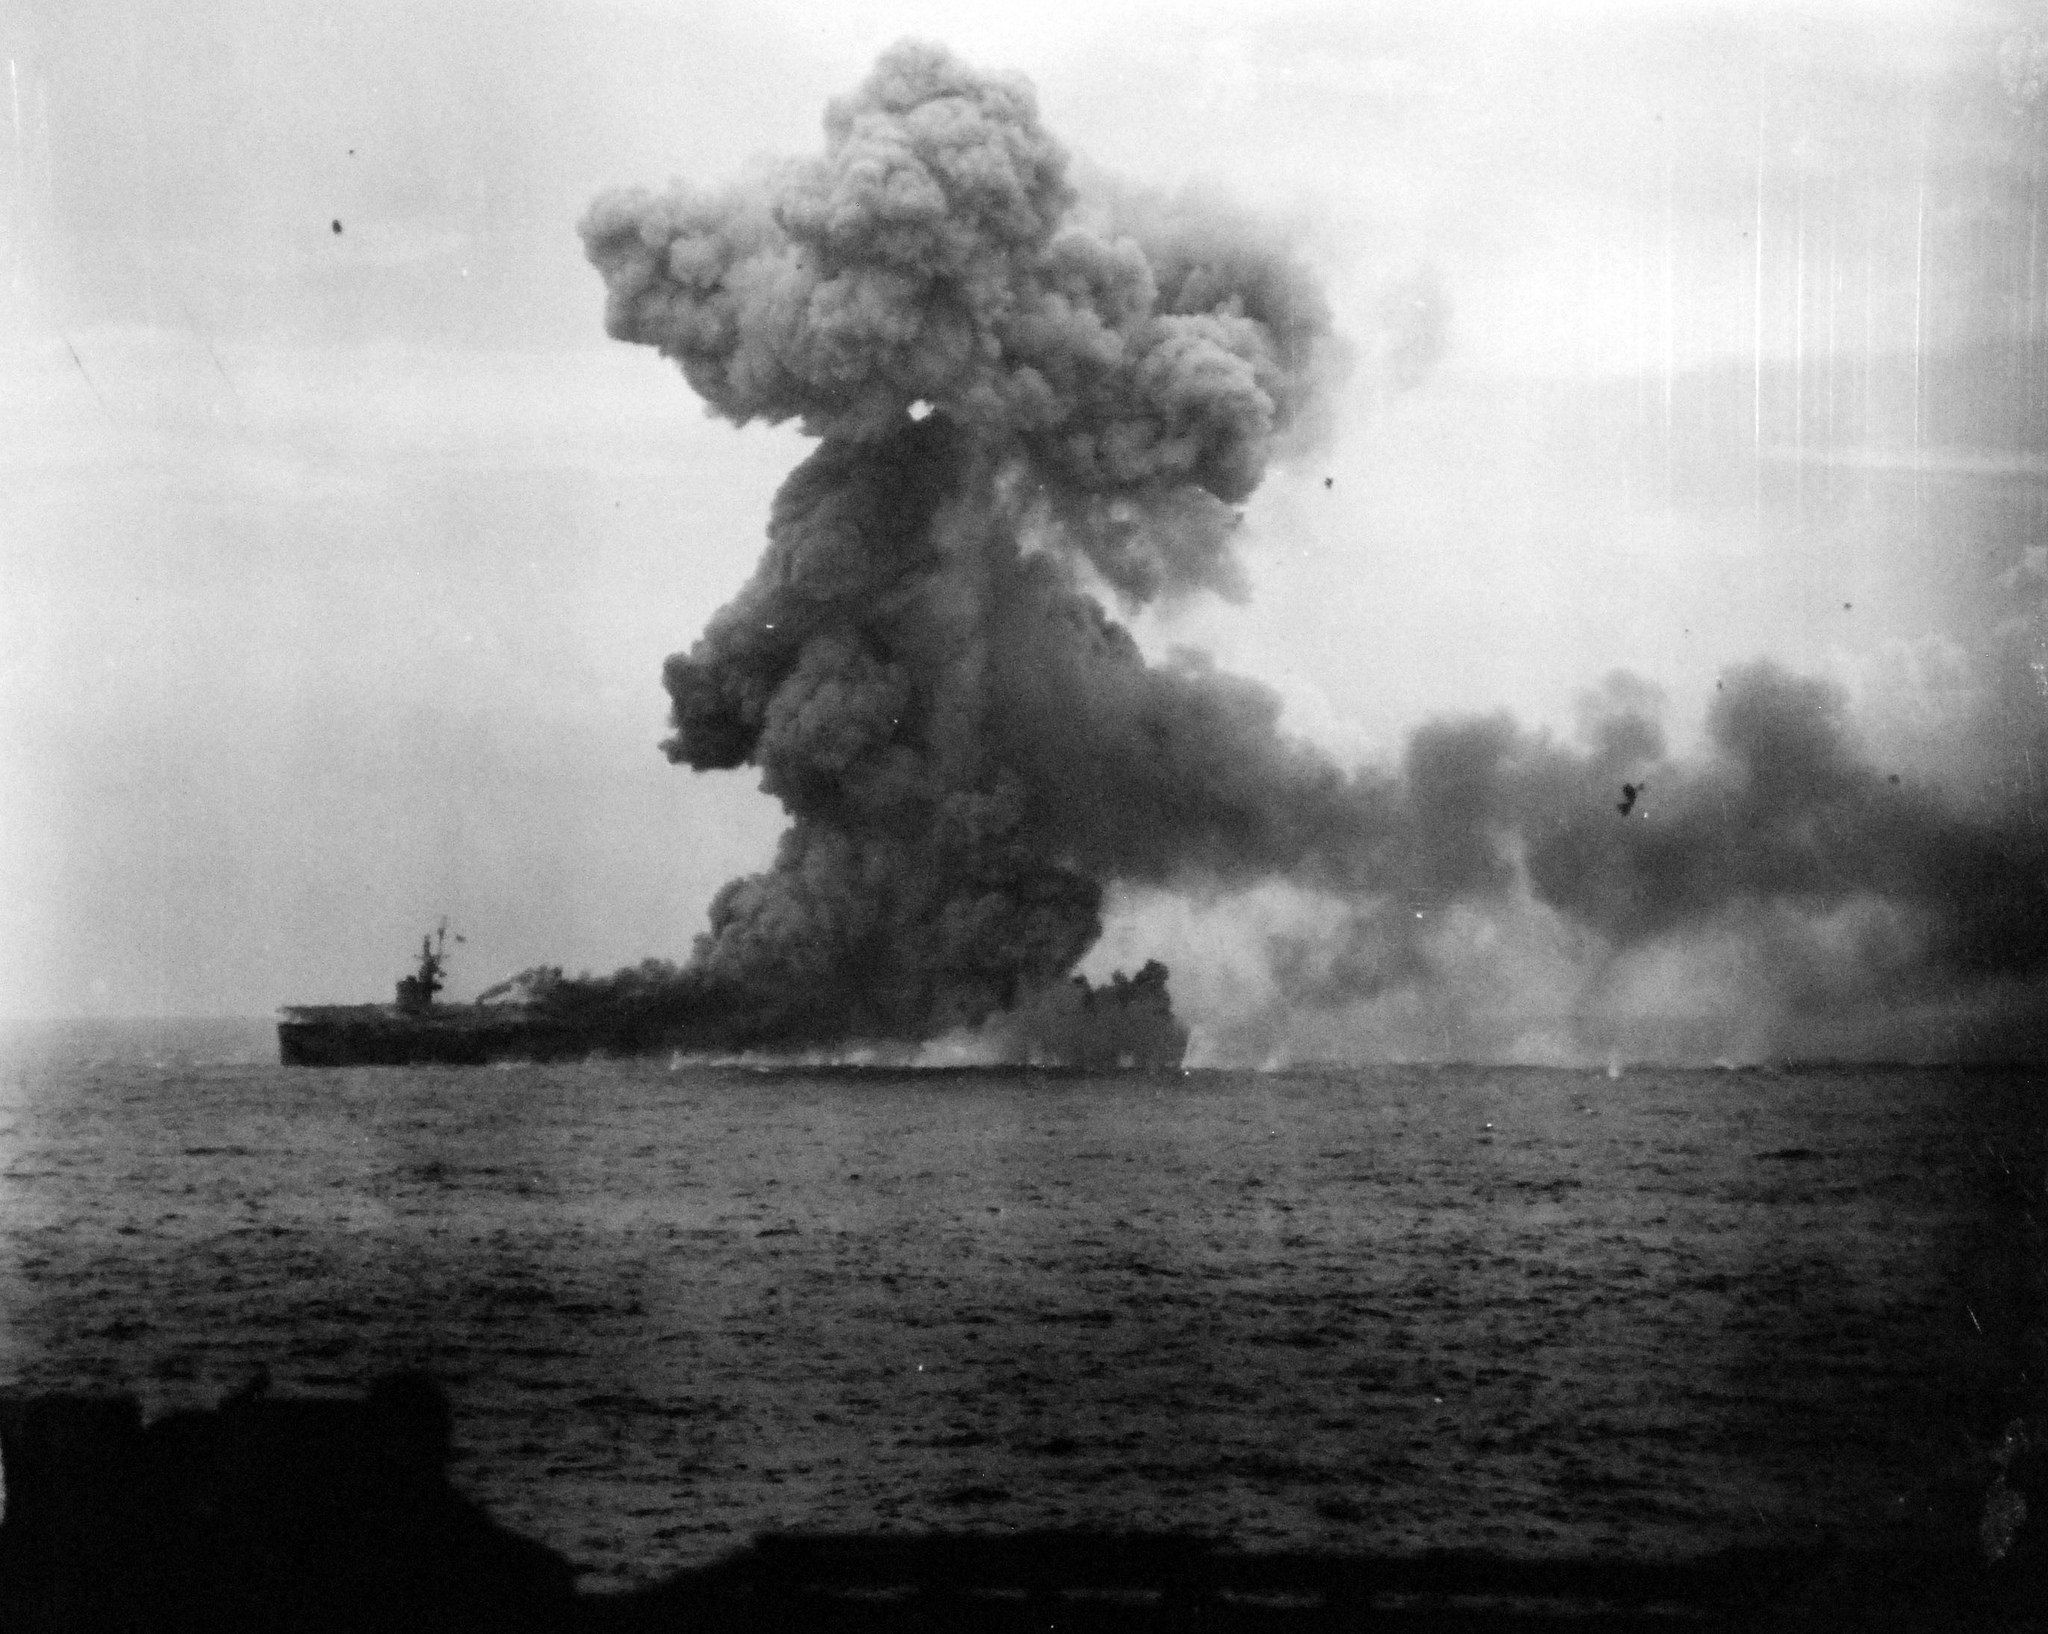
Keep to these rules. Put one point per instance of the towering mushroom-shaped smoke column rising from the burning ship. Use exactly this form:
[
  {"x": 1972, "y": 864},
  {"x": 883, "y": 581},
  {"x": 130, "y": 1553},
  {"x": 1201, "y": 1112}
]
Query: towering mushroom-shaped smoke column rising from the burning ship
[{"x": 1009, "y": 390}]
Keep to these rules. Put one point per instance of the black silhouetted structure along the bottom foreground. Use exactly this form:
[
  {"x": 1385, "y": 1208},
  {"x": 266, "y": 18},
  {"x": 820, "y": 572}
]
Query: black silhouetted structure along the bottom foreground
[{"x": 337, "y": 1516}]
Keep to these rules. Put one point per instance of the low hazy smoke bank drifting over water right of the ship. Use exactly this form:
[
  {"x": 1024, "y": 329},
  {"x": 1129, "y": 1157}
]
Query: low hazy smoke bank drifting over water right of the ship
[{"x": 1777, "y": 896}]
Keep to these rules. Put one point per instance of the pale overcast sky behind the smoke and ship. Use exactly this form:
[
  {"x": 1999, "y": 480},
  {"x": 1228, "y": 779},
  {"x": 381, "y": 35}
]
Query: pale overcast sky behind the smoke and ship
[{"x": 341, "y": 550}]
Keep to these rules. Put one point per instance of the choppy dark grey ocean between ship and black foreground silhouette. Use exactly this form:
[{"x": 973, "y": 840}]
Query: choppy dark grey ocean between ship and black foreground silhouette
[{"x": 1400, "y": 1307}]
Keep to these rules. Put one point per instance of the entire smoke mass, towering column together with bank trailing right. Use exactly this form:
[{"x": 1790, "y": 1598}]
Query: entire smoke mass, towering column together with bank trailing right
[{"x": 1033, "y": 400}]
